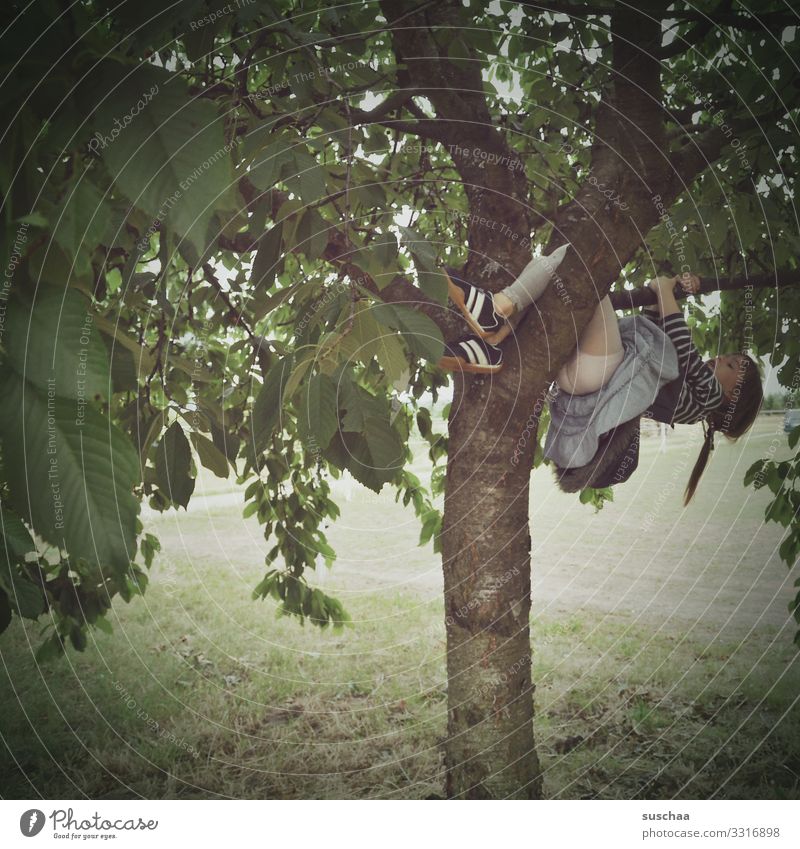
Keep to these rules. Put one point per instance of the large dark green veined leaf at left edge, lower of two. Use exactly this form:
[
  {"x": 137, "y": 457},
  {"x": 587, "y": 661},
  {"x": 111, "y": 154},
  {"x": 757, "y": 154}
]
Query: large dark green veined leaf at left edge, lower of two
[{"x": 72, "y": 482}]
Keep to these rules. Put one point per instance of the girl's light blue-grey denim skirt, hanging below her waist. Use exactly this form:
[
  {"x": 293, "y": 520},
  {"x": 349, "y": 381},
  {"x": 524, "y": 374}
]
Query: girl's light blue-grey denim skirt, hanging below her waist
[{"x": 578, "y": 421}]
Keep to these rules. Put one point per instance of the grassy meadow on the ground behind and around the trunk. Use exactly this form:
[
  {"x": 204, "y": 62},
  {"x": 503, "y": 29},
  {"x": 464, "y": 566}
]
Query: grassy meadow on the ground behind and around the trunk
[{"x": 663, "y": 659}]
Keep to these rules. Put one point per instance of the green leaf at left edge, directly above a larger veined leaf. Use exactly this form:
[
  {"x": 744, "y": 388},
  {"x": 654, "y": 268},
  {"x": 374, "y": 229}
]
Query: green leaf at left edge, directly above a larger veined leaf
[{"x": 56, "y": 347}]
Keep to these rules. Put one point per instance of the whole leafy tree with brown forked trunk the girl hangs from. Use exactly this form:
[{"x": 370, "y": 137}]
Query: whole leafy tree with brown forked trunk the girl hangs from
[{"x": 202, "y": 266}]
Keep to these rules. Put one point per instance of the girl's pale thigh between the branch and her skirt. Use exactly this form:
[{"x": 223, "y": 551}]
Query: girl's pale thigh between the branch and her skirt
[{"x": 597, "y": 356}]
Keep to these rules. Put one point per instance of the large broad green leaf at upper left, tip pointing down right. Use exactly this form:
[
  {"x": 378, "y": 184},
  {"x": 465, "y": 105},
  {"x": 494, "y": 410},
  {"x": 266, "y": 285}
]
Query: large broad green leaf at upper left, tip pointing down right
[{"x": 170, "y": 156}]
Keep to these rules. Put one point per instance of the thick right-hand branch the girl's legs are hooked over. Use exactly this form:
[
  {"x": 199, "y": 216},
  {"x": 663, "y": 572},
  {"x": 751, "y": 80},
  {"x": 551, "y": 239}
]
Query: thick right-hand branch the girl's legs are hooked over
[{"x": 628, "y": 157}]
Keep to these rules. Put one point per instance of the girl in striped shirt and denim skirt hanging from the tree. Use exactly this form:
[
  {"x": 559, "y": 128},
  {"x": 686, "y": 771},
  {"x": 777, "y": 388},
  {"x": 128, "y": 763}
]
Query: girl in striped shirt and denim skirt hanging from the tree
[{"x": 622, "y": 369}]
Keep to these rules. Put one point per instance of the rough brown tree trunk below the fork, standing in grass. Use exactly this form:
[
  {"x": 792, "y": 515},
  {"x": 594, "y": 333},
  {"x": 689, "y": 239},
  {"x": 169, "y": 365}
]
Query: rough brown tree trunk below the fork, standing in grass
[{"x": 487, "y": 585}]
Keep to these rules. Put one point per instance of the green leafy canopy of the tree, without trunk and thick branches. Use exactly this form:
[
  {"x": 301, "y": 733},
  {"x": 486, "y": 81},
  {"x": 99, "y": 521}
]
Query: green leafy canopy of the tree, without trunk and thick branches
[{"x": 209, "y": 222}]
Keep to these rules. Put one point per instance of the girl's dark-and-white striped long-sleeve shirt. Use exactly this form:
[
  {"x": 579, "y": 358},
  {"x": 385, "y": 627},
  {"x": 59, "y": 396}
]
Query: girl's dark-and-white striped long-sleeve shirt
[{"x": 700, "y": 391}]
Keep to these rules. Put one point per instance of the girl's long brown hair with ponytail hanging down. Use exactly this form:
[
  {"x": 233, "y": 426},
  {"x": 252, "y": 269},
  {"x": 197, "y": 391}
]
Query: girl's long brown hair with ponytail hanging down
[{"x": 733, "y": 418}]
